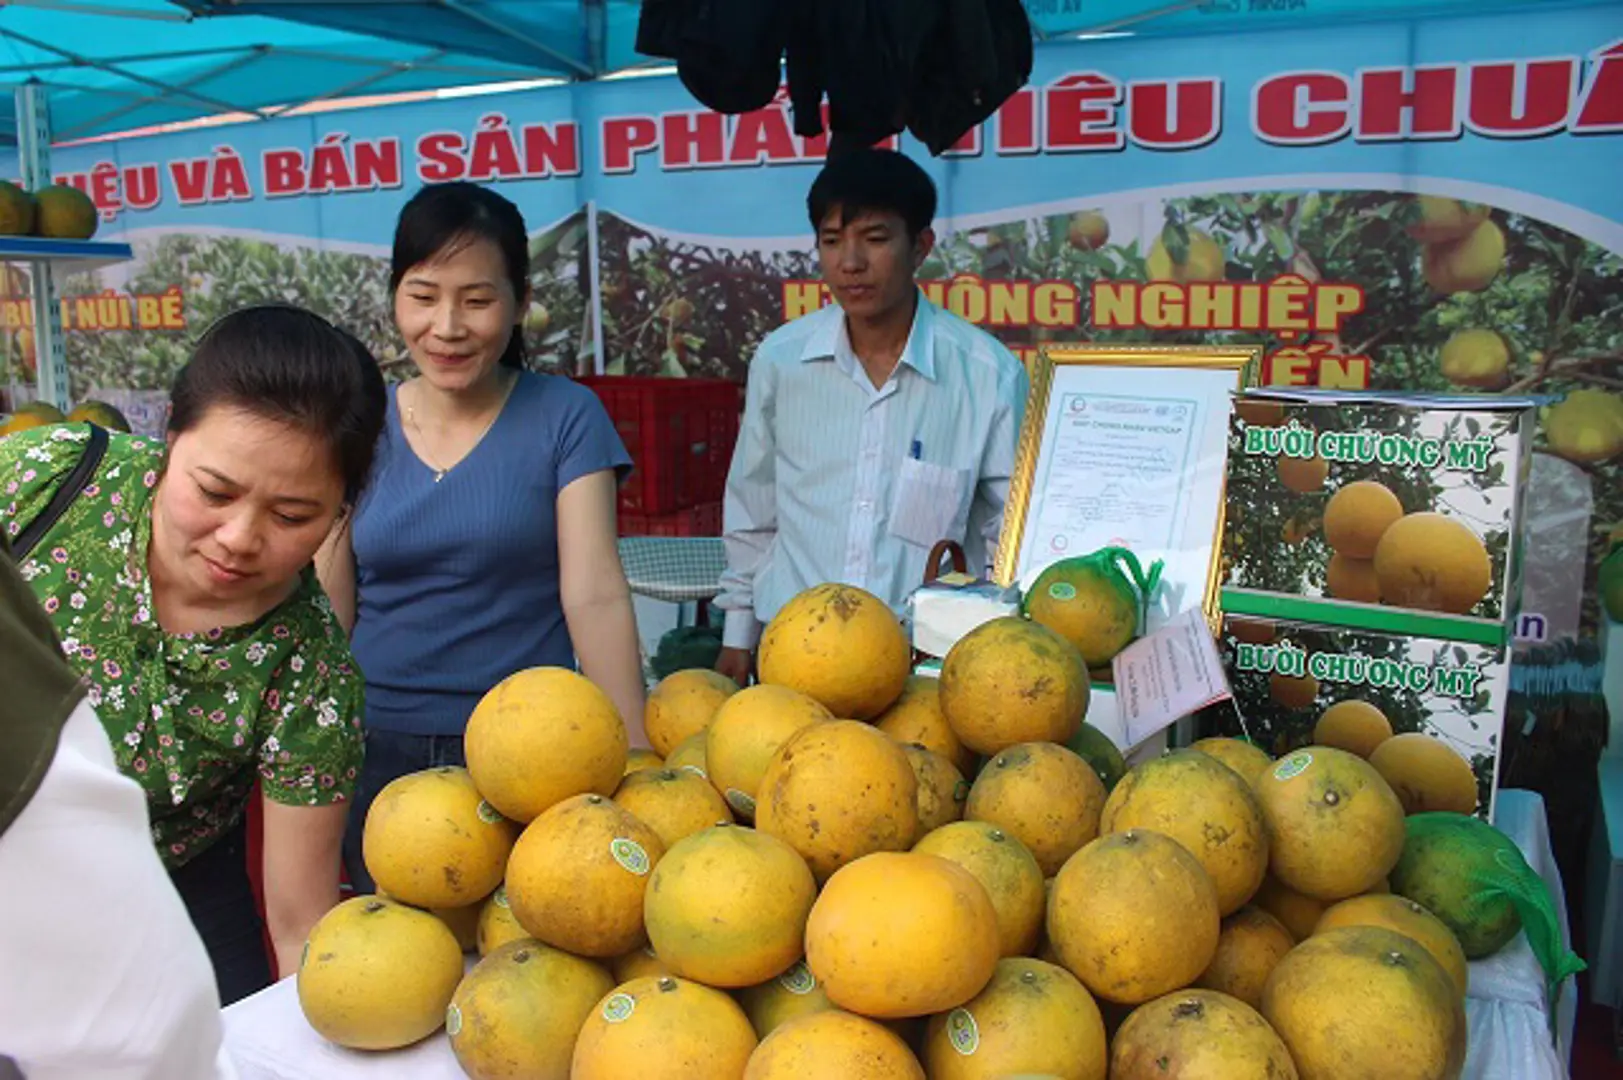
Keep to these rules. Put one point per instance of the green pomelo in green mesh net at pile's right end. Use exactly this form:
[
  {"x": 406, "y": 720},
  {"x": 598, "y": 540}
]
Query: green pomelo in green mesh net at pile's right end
[{"x": 1476, "y": 879}]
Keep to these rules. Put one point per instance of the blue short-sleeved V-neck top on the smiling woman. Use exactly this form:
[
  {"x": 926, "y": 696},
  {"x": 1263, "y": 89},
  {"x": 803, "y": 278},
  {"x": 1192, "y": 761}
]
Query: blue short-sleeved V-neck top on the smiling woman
[{"x": 458, "y": 582}]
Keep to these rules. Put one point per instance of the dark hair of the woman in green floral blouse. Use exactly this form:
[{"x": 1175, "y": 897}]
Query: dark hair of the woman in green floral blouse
[{"x": 293, "y": 366}]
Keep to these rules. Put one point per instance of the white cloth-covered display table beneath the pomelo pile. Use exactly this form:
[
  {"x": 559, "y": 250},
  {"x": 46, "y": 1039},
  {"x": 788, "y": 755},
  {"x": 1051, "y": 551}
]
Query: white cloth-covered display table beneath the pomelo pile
[{"x": 1510, "y": 1029}]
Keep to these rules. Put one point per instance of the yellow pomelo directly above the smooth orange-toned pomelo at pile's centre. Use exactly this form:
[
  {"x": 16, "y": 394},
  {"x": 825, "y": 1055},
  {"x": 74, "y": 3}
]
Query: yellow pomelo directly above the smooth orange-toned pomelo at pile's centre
[{"x": 838, "y": 792}]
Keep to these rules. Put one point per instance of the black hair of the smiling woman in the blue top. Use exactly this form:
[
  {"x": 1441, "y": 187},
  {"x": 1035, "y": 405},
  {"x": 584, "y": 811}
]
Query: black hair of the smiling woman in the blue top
[{"x": 442, "y": 218}]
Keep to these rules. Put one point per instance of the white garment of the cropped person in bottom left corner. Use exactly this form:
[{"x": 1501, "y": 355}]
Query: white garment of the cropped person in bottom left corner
[{"x": 103, "y": 975}]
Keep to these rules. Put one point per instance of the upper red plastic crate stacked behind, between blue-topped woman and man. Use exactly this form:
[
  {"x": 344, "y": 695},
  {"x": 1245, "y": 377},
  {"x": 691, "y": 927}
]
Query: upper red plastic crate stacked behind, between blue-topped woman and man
[{"x": 681, "y": 436}]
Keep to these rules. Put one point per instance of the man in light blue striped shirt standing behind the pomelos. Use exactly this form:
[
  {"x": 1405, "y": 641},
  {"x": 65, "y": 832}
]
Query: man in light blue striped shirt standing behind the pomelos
[{"x": 874, "y": 428}]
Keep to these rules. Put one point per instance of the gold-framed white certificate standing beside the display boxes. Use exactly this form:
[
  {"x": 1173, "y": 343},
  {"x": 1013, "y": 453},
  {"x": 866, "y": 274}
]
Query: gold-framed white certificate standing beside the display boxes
[{"x": 1127, "y": 447}]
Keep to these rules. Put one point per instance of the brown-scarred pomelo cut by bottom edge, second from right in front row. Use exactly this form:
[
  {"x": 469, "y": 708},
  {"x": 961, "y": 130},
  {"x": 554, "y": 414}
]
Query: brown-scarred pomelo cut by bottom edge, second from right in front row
[{"x": 1200, "y": 1034}]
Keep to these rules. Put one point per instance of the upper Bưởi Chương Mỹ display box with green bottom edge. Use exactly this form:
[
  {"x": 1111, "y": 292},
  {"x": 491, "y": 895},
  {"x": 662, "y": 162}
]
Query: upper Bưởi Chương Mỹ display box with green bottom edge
[{"x": 1398, "y": 514}]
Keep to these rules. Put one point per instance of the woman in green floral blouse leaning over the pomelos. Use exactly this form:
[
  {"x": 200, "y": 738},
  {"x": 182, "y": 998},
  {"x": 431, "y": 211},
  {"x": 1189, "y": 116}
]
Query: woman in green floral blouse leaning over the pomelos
[{"x": 181, "y": 585}]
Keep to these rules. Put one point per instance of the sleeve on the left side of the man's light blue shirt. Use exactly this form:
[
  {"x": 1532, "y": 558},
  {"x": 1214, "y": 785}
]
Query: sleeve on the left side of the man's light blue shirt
[{"x": 749, "y": 509}]
